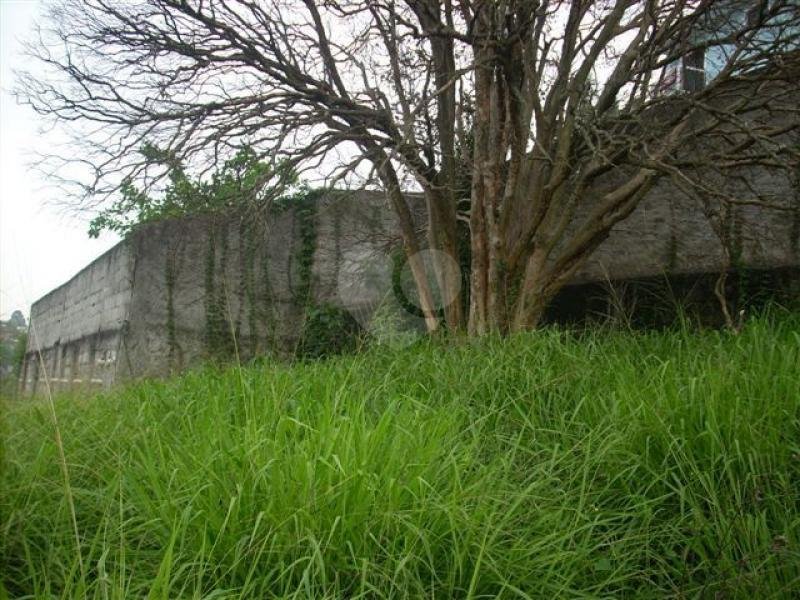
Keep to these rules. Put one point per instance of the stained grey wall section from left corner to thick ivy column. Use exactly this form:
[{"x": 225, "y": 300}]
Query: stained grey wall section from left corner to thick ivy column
[{"x": 239, "y": 266}]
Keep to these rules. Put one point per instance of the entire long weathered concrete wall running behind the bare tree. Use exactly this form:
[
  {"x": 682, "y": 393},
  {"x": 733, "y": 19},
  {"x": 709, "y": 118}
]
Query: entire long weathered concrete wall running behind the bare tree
[{"x": 180, "y": 291}]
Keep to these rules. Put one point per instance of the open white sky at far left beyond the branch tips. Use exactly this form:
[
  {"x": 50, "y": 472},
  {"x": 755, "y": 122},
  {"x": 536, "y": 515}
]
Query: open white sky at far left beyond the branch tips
[{"x": 40, "y": 247}]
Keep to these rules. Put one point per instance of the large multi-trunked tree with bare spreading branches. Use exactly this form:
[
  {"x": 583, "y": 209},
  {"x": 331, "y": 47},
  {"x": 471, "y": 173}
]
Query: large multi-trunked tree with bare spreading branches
[{"x": 549, "y": 118}]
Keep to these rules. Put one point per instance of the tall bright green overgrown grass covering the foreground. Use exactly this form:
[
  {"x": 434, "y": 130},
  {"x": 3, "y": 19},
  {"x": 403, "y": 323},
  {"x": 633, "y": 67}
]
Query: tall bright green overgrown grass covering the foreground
[{"x": 547, "y": 465}]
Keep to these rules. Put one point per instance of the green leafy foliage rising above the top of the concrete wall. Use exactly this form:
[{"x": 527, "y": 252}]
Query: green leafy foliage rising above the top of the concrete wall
[{"x": 242, "y": 179}]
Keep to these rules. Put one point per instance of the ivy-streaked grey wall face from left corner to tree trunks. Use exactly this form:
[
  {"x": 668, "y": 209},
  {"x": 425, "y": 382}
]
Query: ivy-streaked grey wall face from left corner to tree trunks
[{"x": 211, "y": 284}]
